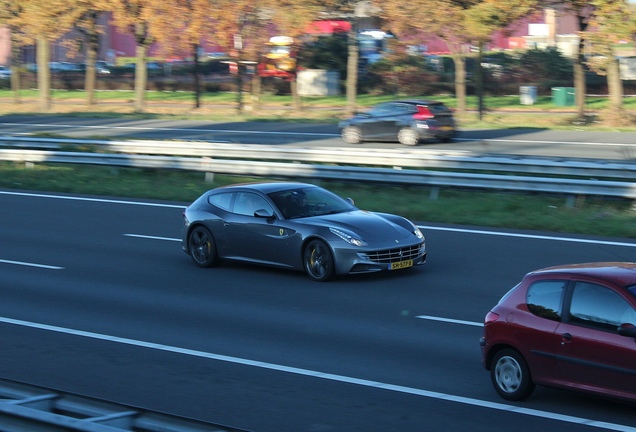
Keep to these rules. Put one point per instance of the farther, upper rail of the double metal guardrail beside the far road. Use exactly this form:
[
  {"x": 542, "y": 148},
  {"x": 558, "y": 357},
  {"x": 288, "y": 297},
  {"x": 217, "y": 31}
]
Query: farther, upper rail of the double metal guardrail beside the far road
[{"x": 415, "y": 157}]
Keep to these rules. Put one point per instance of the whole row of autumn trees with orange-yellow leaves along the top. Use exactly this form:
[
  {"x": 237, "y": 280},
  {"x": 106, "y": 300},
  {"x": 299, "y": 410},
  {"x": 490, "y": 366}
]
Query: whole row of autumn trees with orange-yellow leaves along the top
[{"x": 242, "y": 27}]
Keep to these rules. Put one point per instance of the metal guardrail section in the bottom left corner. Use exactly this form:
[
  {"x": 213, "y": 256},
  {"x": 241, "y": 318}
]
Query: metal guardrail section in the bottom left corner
[{"x": 30, "y": 408}]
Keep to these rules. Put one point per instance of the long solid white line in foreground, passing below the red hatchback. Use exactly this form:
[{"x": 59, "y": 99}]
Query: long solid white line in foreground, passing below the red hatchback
[{"x": 326, "y": 376}]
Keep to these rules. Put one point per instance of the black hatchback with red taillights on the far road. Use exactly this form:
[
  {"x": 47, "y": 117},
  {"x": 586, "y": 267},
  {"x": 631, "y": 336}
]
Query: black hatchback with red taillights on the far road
[{"x": 406, "y": 121}]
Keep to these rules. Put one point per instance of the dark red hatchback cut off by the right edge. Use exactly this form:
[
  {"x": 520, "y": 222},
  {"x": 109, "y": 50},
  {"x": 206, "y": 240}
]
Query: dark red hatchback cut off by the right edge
[{"x": 571, "y": 326}]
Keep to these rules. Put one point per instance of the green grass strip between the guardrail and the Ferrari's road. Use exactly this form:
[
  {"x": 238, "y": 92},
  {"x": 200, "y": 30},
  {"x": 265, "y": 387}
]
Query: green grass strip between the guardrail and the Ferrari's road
[{"x": 548, "y": 213}]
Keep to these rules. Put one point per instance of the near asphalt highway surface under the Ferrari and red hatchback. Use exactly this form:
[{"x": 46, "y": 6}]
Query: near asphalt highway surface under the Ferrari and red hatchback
[{"x": 98, "y": 299}]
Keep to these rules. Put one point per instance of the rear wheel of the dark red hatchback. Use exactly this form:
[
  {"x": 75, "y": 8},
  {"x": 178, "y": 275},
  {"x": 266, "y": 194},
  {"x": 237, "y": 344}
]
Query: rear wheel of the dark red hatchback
[{"x": 510, "y": 375}]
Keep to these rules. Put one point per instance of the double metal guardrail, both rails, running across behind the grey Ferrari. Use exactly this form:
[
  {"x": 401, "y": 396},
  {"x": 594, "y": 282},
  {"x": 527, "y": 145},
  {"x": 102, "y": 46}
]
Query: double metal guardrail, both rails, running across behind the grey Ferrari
[{"x": 578, "y": 177}]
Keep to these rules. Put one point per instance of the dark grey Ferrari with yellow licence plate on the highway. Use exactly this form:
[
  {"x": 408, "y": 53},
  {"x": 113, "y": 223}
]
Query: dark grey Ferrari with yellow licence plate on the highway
[{"x": 297, "y": 226}]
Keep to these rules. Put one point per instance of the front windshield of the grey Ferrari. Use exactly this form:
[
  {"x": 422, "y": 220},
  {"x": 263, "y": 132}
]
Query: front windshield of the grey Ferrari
[{"x": 310, "y": 201}]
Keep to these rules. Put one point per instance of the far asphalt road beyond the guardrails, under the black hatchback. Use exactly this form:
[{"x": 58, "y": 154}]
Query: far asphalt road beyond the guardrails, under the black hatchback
[{"x": 534, "y": 142}]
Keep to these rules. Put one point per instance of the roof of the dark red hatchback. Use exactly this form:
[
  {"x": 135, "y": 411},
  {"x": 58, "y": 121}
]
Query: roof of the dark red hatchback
[{"x": 620, "y": 273}]
